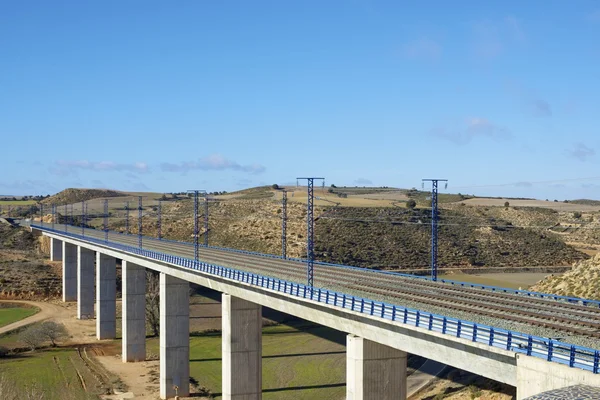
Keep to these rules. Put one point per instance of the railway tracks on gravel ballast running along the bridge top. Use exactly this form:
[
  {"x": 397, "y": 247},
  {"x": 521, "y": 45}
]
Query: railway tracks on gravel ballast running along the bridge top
[{"x": 571, "y": 319}]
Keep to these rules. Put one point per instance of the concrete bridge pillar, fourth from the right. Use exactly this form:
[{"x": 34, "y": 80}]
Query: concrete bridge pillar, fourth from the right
[{"x": 134, "y": 312}]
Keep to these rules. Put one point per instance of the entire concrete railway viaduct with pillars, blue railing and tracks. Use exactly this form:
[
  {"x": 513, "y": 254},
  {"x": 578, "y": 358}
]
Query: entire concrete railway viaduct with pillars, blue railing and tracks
[{"x": 367, "y": 305}]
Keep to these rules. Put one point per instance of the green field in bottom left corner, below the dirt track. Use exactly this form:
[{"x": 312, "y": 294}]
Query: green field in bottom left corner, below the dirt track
[{"x": 53, "y": 372}]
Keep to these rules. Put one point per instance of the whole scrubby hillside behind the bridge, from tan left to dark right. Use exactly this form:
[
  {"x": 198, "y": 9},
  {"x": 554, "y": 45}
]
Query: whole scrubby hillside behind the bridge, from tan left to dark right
[{"x": 375, "y": 237}]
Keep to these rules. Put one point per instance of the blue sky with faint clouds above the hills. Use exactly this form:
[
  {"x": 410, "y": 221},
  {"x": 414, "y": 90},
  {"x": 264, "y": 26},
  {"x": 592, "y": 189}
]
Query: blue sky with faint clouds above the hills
[{"x": 170, "y": 96}]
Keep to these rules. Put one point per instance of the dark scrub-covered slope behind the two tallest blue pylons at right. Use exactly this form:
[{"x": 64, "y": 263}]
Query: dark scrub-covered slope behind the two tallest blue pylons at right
[{"x": 388, "y": 237}]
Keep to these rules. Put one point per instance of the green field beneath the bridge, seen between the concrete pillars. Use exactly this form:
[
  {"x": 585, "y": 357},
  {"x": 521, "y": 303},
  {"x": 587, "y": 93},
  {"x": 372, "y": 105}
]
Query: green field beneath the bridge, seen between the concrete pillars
[{"x": 300, "y": 362}]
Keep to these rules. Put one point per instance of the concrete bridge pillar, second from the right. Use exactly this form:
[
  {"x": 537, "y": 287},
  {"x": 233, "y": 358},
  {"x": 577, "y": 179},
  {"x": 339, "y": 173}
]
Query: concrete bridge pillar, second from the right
[{"x": 242, "y": 349}]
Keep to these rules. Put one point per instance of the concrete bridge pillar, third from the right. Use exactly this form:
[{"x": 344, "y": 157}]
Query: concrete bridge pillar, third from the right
[{"x": 174, "y": 336}]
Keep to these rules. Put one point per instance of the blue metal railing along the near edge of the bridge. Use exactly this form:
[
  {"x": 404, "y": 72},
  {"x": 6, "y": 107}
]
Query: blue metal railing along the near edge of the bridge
[{"x": 548, "y": 349}]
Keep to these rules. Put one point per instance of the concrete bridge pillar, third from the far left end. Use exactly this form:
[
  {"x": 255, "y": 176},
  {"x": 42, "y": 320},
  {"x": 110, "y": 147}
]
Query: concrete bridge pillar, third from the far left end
[{"x": 85, "y": 283}]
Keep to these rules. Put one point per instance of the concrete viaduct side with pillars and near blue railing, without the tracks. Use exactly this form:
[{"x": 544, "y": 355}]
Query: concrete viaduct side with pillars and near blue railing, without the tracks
[{"x": 378, "y": 340}]
